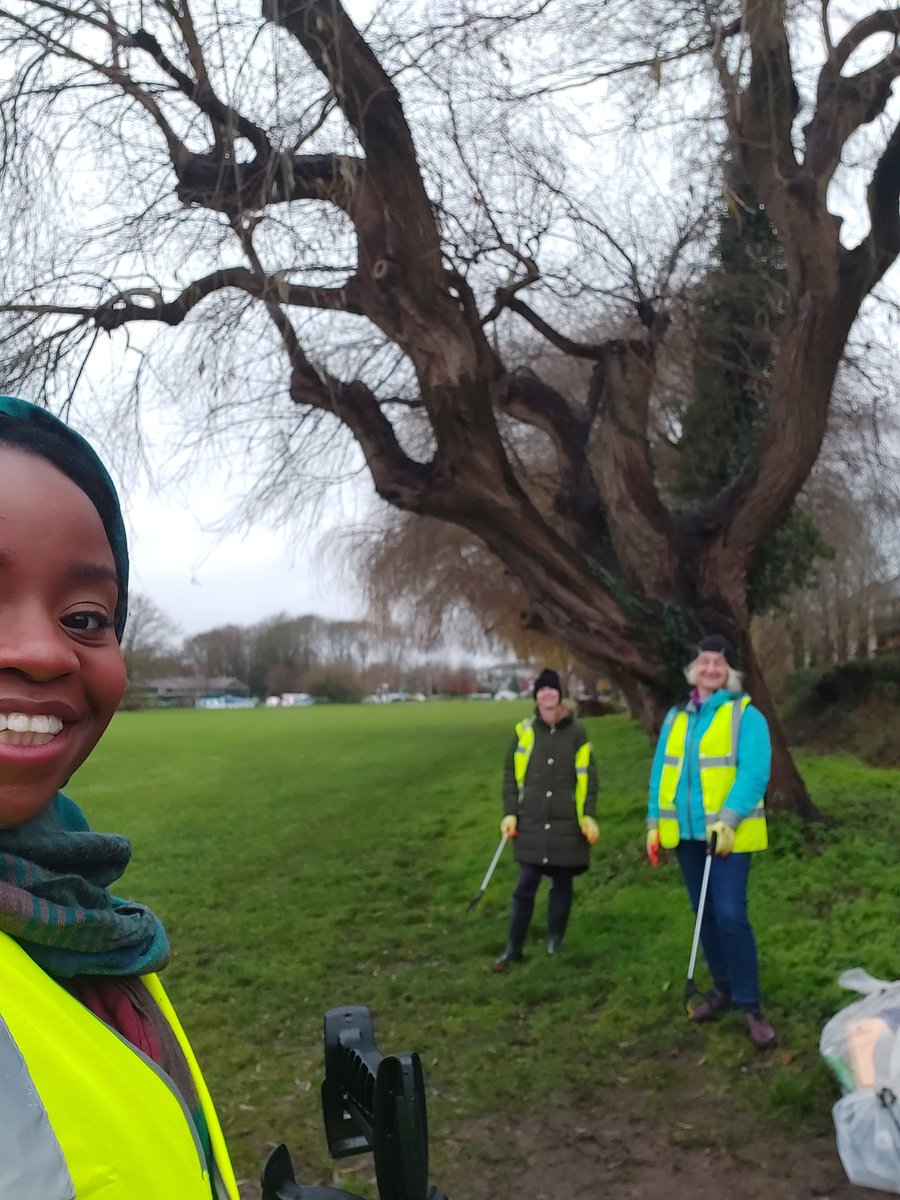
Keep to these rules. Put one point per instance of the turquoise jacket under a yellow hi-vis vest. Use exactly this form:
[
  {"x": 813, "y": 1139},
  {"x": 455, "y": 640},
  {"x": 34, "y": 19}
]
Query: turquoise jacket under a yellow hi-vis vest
[{"x": 754, "y": 766}]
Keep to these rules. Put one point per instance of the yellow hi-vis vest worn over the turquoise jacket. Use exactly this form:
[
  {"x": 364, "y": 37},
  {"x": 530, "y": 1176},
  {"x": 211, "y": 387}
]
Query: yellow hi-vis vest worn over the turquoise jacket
[{"x": 718, "y": 752}]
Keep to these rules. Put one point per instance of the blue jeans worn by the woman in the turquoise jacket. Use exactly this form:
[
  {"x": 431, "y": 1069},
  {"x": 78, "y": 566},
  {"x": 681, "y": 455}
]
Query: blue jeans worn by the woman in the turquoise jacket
[{"x": 728, "y": 940}]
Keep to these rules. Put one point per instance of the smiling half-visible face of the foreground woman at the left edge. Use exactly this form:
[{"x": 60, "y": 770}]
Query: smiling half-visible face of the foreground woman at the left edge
[{"x": 62, "y": 671}]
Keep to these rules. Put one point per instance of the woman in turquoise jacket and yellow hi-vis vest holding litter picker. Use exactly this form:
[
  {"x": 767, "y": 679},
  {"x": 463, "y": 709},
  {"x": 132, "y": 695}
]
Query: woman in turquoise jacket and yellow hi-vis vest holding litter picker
[{"x": 710, "y": 776}]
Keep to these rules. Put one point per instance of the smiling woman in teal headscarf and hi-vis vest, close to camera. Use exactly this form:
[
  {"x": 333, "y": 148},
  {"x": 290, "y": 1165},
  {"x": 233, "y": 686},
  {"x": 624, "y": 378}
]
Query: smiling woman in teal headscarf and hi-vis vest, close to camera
[{"x": 106, "y": 1094}]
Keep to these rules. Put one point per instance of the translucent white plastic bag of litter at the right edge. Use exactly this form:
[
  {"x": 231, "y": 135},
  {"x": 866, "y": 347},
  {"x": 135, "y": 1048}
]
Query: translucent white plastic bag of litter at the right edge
[{"x": 862, "y": 1046}]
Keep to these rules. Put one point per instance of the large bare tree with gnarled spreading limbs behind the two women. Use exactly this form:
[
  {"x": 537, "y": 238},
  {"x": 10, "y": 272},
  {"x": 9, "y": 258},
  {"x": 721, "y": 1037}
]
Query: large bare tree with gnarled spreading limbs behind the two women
[{"x": 190, "y": 119}]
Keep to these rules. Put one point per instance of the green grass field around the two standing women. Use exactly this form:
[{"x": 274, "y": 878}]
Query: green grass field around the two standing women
[{"x": 308, "y": 859}]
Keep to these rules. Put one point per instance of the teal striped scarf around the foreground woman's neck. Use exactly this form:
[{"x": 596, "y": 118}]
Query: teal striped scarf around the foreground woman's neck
[{"x": 55, "y": 874}]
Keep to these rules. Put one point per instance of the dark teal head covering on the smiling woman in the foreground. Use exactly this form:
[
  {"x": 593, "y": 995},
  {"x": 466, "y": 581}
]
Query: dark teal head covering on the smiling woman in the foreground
[{"x": 41, "y": 434}]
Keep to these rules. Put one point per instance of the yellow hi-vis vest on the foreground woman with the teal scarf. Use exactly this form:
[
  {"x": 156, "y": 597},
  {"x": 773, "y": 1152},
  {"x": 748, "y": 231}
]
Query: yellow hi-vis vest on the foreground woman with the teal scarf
[{"x": 83, "y": 1114}]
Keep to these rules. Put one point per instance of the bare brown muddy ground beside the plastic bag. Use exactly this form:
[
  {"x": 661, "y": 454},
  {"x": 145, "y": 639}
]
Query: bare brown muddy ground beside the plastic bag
[{"x": 610, "y": 1148}]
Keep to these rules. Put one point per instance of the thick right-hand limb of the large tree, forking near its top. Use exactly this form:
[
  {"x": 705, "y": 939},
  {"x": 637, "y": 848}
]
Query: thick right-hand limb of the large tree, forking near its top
[{"x": 827, "y": 283}]
